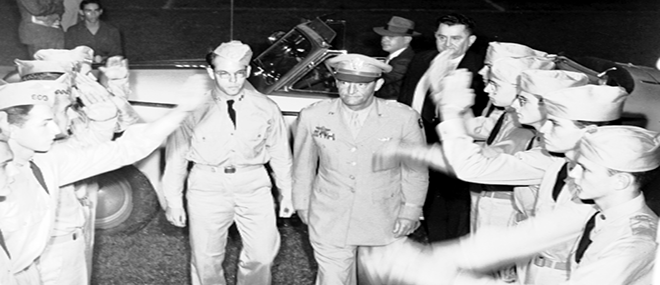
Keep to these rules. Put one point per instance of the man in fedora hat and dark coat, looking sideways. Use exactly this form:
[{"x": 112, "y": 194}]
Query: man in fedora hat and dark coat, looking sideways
[{"x": 395, "y": 39}]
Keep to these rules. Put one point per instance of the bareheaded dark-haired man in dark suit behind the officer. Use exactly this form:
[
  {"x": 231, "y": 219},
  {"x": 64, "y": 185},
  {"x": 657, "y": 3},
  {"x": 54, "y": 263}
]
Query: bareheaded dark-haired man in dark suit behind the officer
[{"x": 447, "y": 207}]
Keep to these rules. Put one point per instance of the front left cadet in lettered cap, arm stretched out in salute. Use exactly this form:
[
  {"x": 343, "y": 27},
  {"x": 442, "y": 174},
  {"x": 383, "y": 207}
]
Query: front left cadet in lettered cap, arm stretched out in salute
[{"x": 27, "y": 216}]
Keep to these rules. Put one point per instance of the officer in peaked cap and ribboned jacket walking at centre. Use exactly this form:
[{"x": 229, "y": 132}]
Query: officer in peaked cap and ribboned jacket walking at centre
[{"x": 354, "y": 201}]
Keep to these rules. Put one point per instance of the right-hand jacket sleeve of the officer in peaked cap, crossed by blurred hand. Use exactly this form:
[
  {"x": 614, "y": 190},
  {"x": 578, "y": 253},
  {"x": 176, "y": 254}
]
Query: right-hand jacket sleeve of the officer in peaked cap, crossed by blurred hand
[{"x": 414, "y": 176}]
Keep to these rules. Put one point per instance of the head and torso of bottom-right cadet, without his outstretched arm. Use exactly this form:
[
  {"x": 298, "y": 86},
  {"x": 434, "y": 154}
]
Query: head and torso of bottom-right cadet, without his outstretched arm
[{"x": 611, "y": 166}]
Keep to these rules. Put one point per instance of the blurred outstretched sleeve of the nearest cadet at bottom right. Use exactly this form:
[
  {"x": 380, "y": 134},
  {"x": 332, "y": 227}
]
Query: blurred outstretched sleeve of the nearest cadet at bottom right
[{"x": 491, "y": 247}]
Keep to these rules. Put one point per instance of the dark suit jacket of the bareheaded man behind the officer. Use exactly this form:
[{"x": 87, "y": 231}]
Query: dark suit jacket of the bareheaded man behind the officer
[{"x": 473, "y": 61}]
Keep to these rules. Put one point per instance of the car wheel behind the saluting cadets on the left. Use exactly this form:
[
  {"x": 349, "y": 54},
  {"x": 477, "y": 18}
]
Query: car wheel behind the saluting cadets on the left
[{"x": 126, "y": 201}]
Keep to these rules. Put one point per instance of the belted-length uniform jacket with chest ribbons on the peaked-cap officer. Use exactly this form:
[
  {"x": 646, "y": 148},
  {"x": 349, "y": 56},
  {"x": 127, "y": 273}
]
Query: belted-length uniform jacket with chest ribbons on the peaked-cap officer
[{"x": 353, "y": 199}]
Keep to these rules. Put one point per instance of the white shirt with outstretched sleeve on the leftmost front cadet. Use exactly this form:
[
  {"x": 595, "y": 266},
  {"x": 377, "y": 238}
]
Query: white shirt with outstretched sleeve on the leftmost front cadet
[{"x": 27, "y": 234}]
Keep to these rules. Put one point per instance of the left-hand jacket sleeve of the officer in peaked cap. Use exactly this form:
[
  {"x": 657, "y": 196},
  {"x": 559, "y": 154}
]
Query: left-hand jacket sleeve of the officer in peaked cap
[{"x": 305, "y": 160}]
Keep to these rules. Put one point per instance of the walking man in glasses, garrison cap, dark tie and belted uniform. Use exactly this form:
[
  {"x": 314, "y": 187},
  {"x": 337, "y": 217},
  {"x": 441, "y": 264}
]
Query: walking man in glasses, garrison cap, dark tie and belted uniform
[{"x": 229, "y": 141}]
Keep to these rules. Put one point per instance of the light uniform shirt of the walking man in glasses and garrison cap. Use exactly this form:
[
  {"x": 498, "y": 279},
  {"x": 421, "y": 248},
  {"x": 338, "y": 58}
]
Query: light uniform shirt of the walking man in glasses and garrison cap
[{"x": 208, "y": 137}]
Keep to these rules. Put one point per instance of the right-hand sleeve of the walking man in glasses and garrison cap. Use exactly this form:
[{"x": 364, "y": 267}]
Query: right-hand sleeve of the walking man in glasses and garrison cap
[{"x": 278, "y": 148}]
